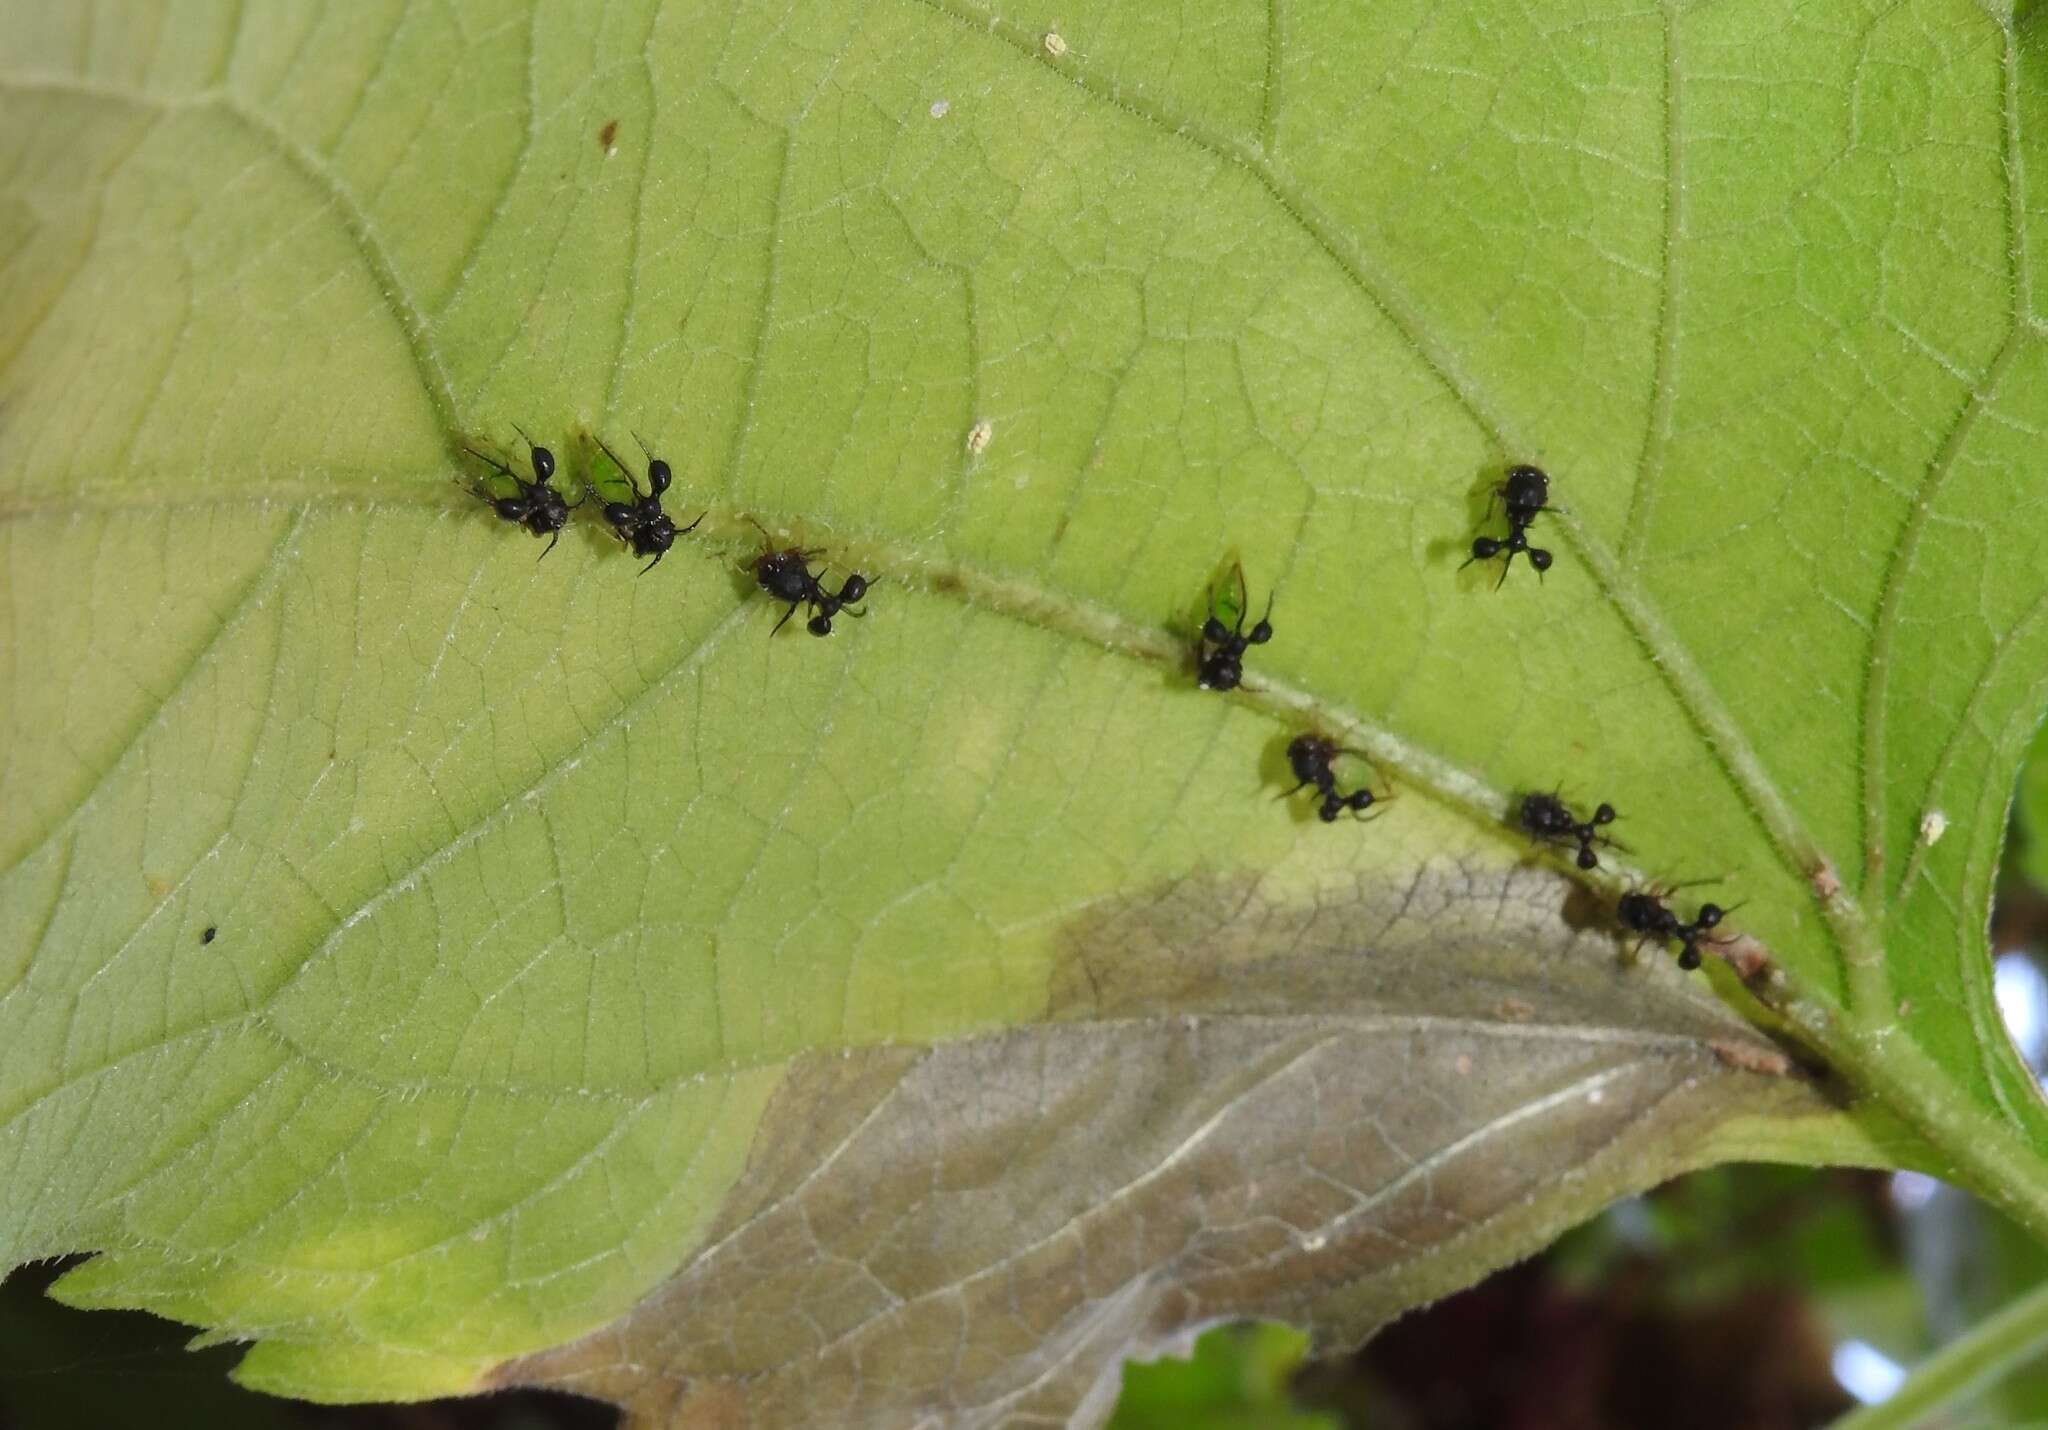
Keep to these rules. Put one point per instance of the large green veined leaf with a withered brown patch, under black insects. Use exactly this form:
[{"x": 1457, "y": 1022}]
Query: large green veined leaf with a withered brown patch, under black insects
[{"x": 919, "y": 1021}]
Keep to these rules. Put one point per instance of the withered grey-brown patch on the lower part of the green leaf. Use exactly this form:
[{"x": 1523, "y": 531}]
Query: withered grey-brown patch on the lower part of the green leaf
[{"x": 986, "y": 1230}]
